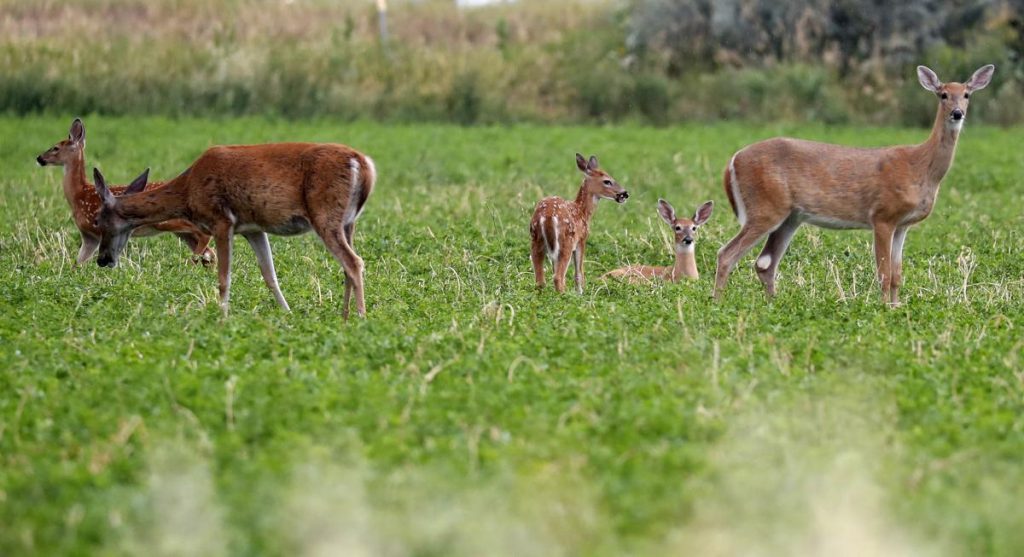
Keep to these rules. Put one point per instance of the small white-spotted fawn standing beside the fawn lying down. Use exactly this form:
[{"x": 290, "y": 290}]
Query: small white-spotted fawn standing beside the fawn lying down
[{"x": 560, "y": 229}]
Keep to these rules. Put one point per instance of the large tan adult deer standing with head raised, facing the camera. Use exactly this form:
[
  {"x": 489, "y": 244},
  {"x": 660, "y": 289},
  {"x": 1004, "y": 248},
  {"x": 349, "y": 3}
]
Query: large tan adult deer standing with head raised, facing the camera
[{"x": 778, "y": 185}]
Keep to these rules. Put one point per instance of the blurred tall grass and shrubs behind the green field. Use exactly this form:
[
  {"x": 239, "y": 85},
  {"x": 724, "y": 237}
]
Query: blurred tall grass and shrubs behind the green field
[{"x": 659, "y": 62}]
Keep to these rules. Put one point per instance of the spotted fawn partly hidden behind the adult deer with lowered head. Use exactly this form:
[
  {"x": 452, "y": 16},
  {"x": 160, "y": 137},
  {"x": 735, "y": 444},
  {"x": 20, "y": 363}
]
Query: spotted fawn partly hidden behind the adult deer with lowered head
[{"x": 84, "y": 203}]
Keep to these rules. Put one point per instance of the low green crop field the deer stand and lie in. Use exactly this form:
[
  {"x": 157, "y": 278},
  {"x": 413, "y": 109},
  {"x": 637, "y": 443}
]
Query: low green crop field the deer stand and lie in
[{"x": 471, "y": 415}]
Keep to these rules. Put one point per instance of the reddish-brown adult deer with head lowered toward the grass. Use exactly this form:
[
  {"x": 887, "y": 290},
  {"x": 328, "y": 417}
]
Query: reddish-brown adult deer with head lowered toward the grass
[{"x": 279, "y": 189}]
